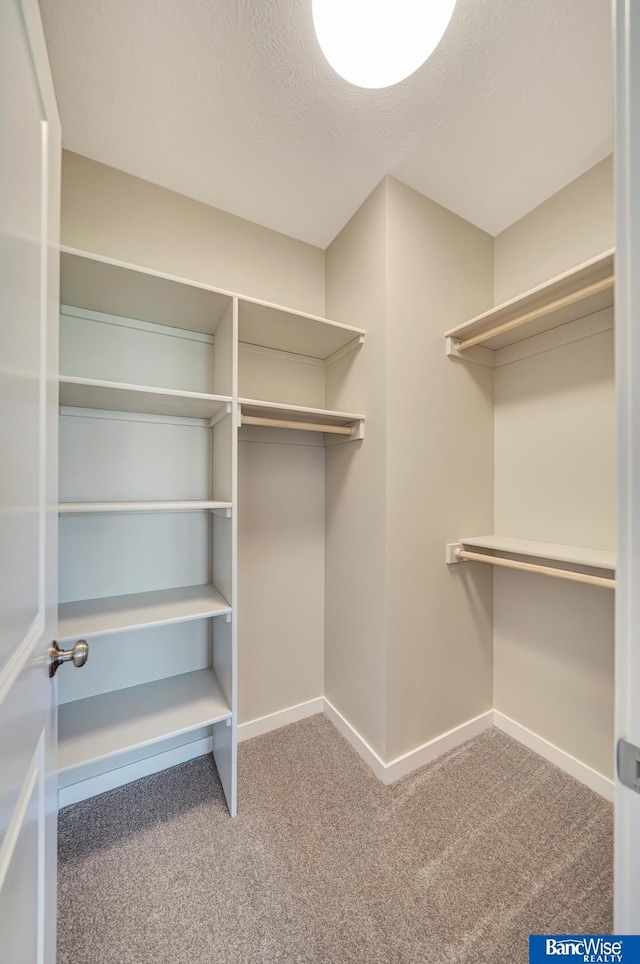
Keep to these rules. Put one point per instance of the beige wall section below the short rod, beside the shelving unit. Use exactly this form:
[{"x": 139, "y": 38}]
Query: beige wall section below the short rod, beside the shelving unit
[{"x": 280, "y": 577}]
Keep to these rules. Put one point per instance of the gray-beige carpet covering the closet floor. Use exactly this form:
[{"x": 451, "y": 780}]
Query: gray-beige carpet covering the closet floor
[{"x": 455, "y": 864}]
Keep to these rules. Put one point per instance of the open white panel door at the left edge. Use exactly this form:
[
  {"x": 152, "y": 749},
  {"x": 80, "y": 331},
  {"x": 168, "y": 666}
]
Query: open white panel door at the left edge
[{"x": 29, "y": 226}]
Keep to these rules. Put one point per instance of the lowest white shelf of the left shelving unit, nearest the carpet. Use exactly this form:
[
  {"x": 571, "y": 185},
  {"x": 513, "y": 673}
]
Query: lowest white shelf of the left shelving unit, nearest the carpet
[{"x": 103, "y": 726}]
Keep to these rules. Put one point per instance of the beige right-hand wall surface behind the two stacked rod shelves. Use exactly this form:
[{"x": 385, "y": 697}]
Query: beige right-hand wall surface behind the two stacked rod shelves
[{"x": 555, "y": 481}]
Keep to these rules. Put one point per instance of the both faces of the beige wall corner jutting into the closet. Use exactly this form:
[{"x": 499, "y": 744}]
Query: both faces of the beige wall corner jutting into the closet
[{"x": 408, "y": 644}]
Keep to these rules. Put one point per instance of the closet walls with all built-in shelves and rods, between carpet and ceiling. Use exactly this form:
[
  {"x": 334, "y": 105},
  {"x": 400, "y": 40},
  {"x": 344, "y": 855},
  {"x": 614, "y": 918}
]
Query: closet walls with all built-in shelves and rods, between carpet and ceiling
[{"x": 277, "y": 462}]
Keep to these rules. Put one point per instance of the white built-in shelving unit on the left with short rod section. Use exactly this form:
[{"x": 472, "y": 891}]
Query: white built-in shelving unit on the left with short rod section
[{"x": 150, "y": 410}]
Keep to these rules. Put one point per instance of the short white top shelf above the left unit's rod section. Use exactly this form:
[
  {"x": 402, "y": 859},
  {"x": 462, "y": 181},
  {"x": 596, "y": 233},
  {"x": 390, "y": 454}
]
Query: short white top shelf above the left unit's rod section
[{"x": 271, "y": 326}]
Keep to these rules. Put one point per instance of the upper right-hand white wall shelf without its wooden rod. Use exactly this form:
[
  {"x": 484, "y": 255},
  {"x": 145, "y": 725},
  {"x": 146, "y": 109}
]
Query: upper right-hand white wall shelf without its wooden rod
[{"x": 564, "y": 285}]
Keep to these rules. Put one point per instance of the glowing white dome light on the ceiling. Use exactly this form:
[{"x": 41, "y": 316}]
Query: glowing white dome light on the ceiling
[{"x": 377, "y": 43}]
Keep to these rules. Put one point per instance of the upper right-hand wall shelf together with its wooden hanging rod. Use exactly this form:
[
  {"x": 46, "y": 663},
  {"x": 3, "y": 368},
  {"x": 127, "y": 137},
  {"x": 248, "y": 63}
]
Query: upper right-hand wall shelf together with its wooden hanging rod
[{"x": 573, "y": 295}]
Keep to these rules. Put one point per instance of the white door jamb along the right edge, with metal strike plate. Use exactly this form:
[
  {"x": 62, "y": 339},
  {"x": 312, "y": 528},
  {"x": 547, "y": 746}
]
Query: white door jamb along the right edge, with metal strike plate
[{"x": 627, "y": 167}]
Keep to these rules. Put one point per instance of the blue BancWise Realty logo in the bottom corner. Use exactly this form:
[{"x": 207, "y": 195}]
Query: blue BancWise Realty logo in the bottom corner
[{"x": 586, "y": 948}]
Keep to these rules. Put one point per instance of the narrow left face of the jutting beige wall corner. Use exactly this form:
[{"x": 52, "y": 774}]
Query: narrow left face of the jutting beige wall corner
[{"x": 356, "y": 479}]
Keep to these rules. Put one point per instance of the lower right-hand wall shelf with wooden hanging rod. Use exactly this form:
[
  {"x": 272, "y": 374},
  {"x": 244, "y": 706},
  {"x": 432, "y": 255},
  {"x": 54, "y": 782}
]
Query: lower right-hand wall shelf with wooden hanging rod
[{"x": 516, "y": 554}]
